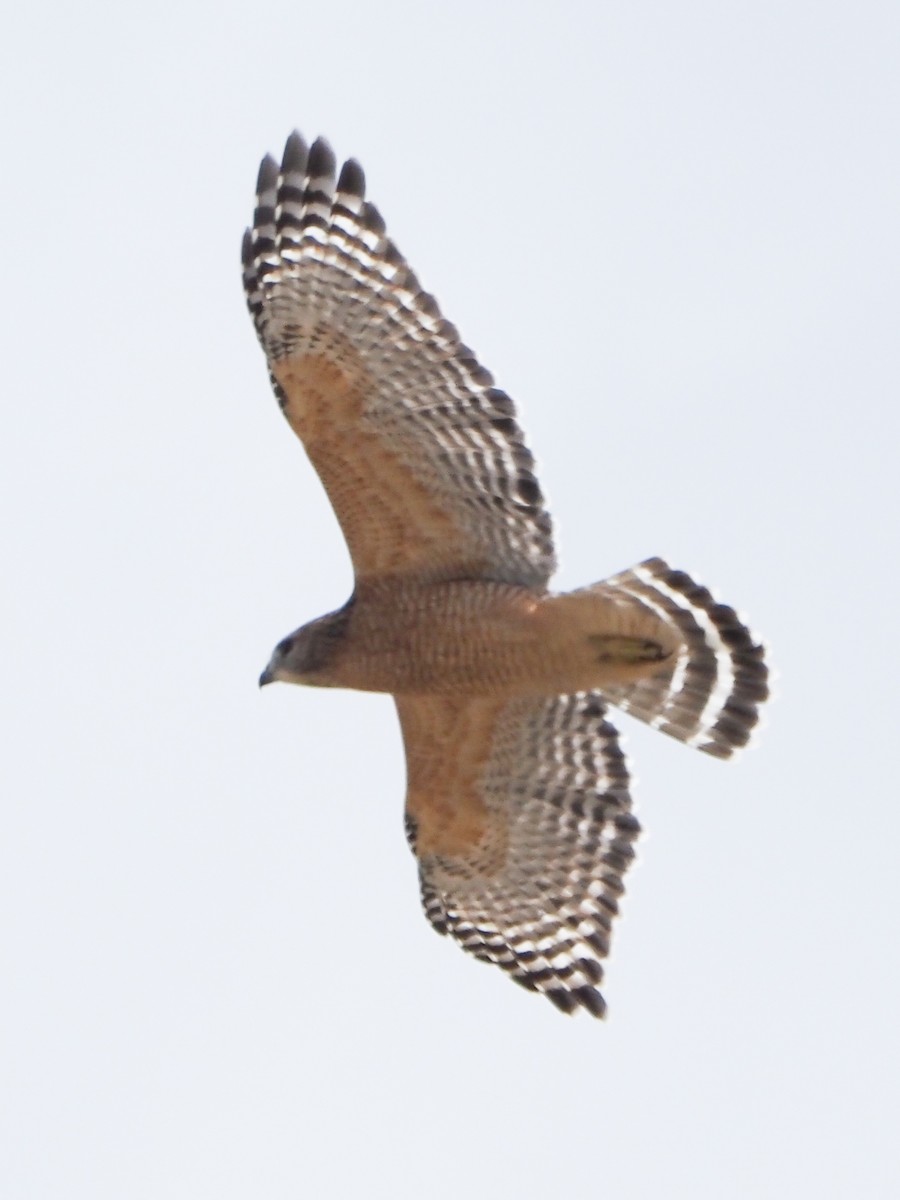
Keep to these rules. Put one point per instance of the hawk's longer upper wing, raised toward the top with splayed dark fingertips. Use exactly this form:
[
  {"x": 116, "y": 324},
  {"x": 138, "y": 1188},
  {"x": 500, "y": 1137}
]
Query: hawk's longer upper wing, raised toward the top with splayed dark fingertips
[{"x": 419, "y": 453}]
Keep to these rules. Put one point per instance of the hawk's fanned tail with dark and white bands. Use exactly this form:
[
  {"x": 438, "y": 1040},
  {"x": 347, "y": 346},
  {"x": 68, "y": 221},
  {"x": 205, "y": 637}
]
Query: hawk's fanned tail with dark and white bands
[{"x": 710, "y": 694}]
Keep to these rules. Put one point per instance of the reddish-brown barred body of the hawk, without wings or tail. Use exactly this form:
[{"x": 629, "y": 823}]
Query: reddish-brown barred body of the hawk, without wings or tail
[{"x": 473, "y": 639}]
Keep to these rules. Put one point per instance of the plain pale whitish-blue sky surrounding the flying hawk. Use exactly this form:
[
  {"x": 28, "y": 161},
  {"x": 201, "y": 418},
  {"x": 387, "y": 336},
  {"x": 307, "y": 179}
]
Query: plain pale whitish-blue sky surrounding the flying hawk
[{"x": 671, "y": 232}]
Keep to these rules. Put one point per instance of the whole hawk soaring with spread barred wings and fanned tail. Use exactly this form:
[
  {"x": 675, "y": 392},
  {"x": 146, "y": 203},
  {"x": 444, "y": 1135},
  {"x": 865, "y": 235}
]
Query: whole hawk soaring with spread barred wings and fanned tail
[{"x": 518, "y": 795}]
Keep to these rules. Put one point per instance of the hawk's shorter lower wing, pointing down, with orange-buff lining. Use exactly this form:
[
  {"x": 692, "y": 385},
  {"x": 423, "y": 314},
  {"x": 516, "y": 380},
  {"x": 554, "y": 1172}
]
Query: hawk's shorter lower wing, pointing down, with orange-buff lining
[{"x": 520, "y": 817}]
